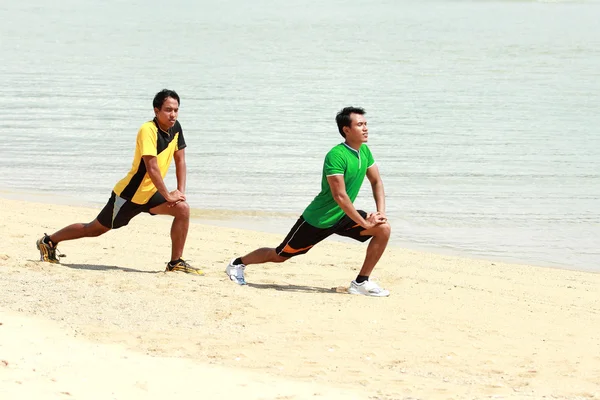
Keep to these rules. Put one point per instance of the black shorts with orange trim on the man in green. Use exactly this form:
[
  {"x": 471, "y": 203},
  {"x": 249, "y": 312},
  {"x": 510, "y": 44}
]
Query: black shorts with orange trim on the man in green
[{"x": 303, "y": 236}]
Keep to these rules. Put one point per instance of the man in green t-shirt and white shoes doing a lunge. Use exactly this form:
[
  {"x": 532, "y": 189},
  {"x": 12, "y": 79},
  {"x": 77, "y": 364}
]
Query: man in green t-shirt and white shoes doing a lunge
[{"x": 332, "y": 211}]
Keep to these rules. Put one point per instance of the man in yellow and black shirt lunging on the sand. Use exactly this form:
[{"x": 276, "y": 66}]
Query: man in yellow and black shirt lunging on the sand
[{"x": 143, "y": 189}]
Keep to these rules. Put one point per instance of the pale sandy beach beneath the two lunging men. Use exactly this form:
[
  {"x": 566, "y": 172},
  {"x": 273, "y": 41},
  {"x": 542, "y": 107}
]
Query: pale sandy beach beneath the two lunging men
[{"x": 110, "y": 323}]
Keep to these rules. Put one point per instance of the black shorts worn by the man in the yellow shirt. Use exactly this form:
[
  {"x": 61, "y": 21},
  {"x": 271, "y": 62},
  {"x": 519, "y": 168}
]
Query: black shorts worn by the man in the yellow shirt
[{"x": 118, "y": 211}]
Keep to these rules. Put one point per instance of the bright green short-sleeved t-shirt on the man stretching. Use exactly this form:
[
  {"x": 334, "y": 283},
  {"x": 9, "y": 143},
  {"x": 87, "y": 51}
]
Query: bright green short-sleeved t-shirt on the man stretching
[{"x": 324, "y": 212}]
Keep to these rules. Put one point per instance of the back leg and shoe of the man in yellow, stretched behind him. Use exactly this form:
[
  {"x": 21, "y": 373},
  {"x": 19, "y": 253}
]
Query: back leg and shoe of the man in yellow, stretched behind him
[{"x": 47, "y": 243}]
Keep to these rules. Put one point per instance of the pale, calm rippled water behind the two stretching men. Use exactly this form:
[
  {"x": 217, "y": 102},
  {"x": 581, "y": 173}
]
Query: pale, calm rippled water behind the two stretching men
[{"x": 483, "y": 115}]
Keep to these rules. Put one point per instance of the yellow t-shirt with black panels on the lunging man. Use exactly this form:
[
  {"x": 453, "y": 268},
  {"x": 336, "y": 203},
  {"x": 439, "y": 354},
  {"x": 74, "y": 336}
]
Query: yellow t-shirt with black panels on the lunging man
[{"x": 137, "y": 186}]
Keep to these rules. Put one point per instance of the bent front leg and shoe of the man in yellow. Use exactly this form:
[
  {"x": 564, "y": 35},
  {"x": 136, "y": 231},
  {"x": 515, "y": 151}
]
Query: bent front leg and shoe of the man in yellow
[{"x": 179, "y": 230}]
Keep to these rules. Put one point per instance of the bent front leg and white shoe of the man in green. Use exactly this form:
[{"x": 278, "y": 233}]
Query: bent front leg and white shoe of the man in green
[{"x": 361, "y": 285}]
